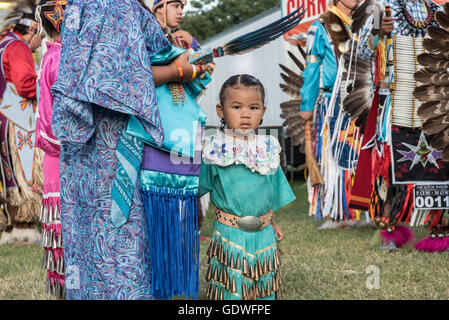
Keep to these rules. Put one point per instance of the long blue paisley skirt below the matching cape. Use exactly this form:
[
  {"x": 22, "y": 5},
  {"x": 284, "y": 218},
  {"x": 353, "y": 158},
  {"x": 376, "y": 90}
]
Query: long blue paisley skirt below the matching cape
[{"x": 102, "y": 261}]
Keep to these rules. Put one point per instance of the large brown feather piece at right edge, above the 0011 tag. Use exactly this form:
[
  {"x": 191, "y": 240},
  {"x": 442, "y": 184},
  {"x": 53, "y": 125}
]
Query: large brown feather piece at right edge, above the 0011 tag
[{"x": 434, "y": 79}]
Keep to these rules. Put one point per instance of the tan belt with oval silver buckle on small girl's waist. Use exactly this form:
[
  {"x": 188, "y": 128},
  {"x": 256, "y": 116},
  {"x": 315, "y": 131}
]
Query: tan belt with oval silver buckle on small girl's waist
[{"x": 248, "y": 224}]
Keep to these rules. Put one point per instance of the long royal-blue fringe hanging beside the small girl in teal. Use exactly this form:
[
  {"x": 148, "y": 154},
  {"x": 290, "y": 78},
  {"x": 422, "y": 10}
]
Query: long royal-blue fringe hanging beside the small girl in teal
[{"x": 172, "y": 218}]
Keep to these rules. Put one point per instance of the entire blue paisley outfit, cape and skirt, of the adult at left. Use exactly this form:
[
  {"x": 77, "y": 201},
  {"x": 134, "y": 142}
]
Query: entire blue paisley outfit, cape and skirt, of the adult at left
[{"x": 104, "y": 76}]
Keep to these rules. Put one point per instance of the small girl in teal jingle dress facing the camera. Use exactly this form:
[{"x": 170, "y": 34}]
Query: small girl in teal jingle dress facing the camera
[{"x": 241, "y": 171}]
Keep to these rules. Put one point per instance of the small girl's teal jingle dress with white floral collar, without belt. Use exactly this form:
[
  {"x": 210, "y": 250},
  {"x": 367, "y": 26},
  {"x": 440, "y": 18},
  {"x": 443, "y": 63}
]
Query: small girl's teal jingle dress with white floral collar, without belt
[{"x": 244, "y": 179}]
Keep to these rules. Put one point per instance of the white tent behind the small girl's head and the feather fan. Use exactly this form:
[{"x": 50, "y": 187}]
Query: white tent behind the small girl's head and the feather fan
[{"x": 263, "y": 63}]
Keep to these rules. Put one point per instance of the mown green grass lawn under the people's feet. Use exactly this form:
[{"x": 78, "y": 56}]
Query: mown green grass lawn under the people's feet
[{"x": 317, "y": 264}]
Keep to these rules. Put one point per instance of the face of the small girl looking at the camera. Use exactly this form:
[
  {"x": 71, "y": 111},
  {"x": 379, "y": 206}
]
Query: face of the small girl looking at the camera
[{"x": 242, "y": 108}]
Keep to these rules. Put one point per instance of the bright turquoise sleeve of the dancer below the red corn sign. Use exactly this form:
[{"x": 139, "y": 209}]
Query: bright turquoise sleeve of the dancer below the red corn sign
[{"x": 311, "y": 74}]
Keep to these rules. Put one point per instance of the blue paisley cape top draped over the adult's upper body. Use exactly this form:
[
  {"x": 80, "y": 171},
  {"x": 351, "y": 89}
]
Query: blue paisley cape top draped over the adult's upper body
[{"x": 107, "y": 48}]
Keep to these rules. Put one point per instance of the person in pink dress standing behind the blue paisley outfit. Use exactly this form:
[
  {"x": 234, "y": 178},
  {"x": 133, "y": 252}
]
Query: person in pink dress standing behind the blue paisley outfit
[{"x": 47, "y": 142}]
